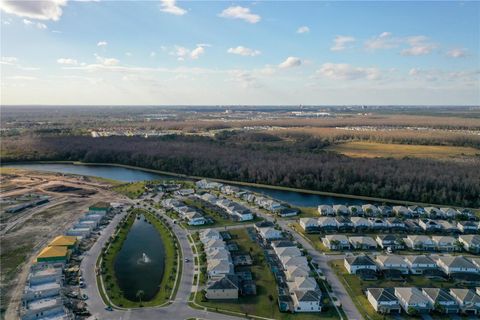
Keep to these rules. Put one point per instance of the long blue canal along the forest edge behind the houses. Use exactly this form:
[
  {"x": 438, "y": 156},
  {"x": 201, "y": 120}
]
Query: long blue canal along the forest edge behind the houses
[{"x": 132, "y": 175}]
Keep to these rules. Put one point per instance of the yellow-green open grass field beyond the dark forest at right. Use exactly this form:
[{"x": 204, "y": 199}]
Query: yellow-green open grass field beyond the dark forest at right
[{"x": 386, "y": 150}]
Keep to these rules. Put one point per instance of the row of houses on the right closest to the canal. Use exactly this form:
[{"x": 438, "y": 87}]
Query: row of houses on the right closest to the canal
[{"x": 409, "y": 212}]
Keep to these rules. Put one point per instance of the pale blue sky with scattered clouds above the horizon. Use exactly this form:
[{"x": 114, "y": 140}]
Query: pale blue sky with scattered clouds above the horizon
[{"x": 240, "y": 52}]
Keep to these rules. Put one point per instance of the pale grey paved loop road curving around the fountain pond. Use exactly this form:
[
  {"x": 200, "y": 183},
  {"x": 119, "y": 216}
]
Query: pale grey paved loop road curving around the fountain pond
[{"x": 177, "y": 310}]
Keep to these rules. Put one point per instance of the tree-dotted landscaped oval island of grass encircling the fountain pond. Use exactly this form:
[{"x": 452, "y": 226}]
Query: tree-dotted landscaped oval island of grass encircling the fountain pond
[{"x": 106, "y": 278}]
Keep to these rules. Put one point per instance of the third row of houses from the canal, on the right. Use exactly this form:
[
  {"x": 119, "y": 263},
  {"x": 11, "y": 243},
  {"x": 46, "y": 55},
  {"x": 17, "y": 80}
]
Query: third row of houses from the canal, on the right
[{"x": 467, "y": 242}]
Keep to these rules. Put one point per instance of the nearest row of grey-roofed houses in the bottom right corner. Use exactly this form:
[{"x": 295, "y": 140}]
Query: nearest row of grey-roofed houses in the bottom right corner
[{"x": 414, "y": 300}]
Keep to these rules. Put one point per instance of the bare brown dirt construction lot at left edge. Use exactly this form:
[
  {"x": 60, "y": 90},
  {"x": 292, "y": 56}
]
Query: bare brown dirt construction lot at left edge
[{"x": 23, "y": 234}]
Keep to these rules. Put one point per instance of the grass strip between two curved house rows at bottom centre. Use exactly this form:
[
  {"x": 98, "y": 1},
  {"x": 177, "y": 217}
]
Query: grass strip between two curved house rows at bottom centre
[{"x": 261, "y": 304}]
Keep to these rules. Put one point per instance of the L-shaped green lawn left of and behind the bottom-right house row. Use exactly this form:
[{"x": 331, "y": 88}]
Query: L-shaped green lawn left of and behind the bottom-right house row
[{"x": 356, "y": 288}]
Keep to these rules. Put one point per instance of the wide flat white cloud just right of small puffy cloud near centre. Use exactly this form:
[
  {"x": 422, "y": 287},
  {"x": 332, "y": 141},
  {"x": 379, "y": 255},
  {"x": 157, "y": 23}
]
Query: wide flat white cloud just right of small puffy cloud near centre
[{"x": 344, "y": 71}]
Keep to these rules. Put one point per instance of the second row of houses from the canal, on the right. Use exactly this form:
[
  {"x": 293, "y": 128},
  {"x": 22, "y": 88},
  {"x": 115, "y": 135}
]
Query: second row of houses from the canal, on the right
[{"x": 341, "y": 223}]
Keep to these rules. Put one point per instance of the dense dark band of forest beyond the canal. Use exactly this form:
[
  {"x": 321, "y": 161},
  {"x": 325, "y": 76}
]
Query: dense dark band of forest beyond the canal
[{"x": 266, "y": 160}]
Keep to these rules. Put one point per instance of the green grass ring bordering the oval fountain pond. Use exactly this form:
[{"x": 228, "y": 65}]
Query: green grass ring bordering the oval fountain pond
[{"x": 171, "y": 268}]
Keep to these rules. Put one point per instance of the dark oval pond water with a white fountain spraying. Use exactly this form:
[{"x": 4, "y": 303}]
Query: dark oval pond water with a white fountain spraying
[{"x": 140, "y": 262}]
